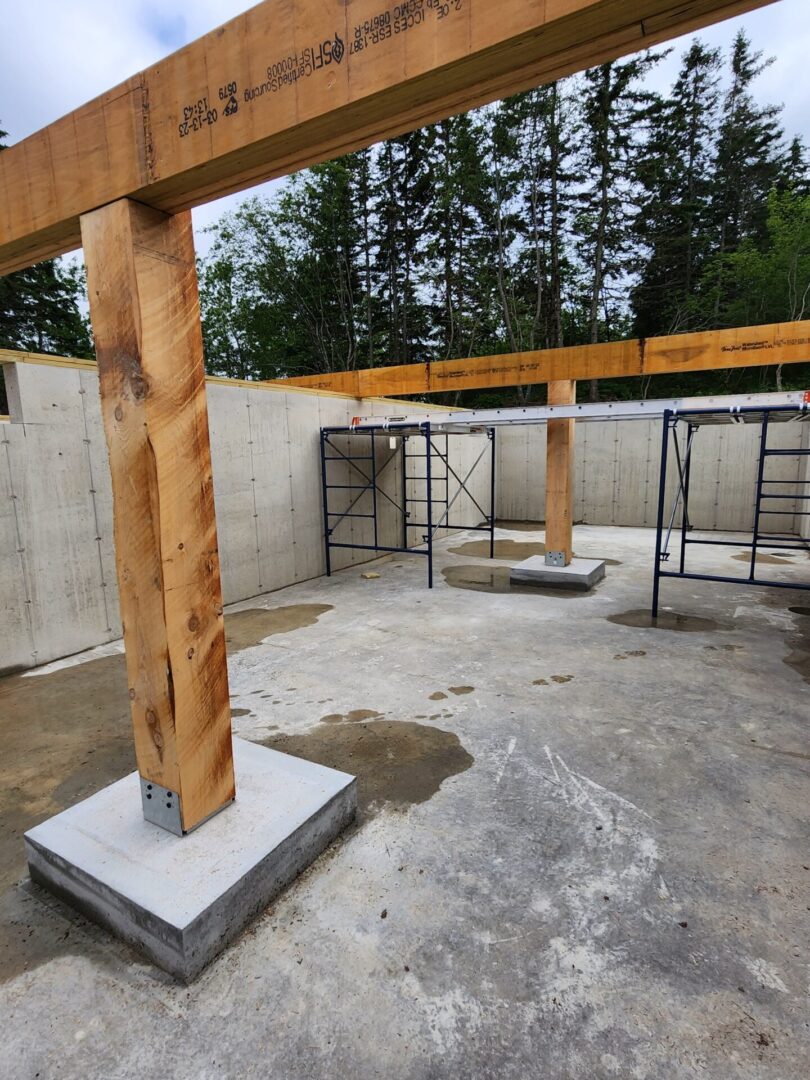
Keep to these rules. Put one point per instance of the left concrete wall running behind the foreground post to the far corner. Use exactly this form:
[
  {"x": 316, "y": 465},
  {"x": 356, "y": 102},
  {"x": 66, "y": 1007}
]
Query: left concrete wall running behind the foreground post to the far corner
[{"x": 58, "y": 575}]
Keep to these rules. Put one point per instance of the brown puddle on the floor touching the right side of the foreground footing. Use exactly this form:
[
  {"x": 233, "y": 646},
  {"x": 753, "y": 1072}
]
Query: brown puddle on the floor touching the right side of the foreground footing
[{"x": 397, "y": 763}]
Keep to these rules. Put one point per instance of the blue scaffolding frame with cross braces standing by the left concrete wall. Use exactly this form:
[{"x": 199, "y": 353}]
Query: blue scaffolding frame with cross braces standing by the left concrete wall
[{"x": 425, "y": 437}]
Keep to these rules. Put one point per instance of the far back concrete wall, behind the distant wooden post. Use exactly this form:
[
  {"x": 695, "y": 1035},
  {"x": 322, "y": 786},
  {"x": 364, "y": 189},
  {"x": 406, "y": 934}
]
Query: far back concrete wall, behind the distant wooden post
[{"x": 618, "y": 466}]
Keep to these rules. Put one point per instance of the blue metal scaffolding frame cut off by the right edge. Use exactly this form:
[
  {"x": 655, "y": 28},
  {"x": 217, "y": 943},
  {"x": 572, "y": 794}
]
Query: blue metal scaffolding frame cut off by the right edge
[{"x": 687, "y": 424}]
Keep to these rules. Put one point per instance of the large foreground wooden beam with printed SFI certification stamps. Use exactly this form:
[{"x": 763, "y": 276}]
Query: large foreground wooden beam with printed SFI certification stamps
[{"x": 289, "y": 85}]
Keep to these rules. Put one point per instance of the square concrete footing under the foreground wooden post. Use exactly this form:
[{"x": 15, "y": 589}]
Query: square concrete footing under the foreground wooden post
[{"x": 182, "y": 900}]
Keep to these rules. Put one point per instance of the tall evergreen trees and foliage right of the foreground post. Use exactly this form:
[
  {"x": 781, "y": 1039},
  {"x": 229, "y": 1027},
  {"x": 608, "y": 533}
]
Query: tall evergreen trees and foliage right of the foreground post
[{"x": 587, "y": 210}]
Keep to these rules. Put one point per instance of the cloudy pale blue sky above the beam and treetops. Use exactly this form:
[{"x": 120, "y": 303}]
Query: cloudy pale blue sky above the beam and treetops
[{"x": 58, "y": 55}]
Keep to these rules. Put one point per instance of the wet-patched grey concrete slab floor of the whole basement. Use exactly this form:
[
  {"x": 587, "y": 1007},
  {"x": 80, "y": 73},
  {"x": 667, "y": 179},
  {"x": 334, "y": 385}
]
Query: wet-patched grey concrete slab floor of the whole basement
[{"x": 583, "y": 848}]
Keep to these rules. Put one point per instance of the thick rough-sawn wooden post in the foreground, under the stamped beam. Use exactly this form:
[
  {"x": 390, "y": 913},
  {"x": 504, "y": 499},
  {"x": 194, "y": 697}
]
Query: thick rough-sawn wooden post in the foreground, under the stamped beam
[{"x": 144, "y": 304}]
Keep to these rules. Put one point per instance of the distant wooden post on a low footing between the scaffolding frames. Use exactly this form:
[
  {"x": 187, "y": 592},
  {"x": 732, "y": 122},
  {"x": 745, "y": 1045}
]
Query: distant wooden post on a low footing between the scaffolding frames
[{"x": 560, "y": 478}]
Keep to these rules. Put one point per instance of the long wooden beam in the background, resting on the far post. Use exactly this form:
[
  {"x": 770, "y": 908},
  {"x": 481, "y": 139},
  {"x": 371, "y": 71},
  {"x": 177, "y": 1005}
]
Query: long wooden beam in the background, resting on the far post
[{"x": 742, "y": 347}]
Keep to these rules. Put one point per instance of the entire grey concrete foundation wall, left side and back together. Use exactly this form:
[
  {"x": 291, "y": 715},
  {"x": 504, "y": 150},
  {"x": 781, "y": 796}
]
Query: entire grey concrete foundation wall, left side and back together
[{"x": 58, "y": 575}]
